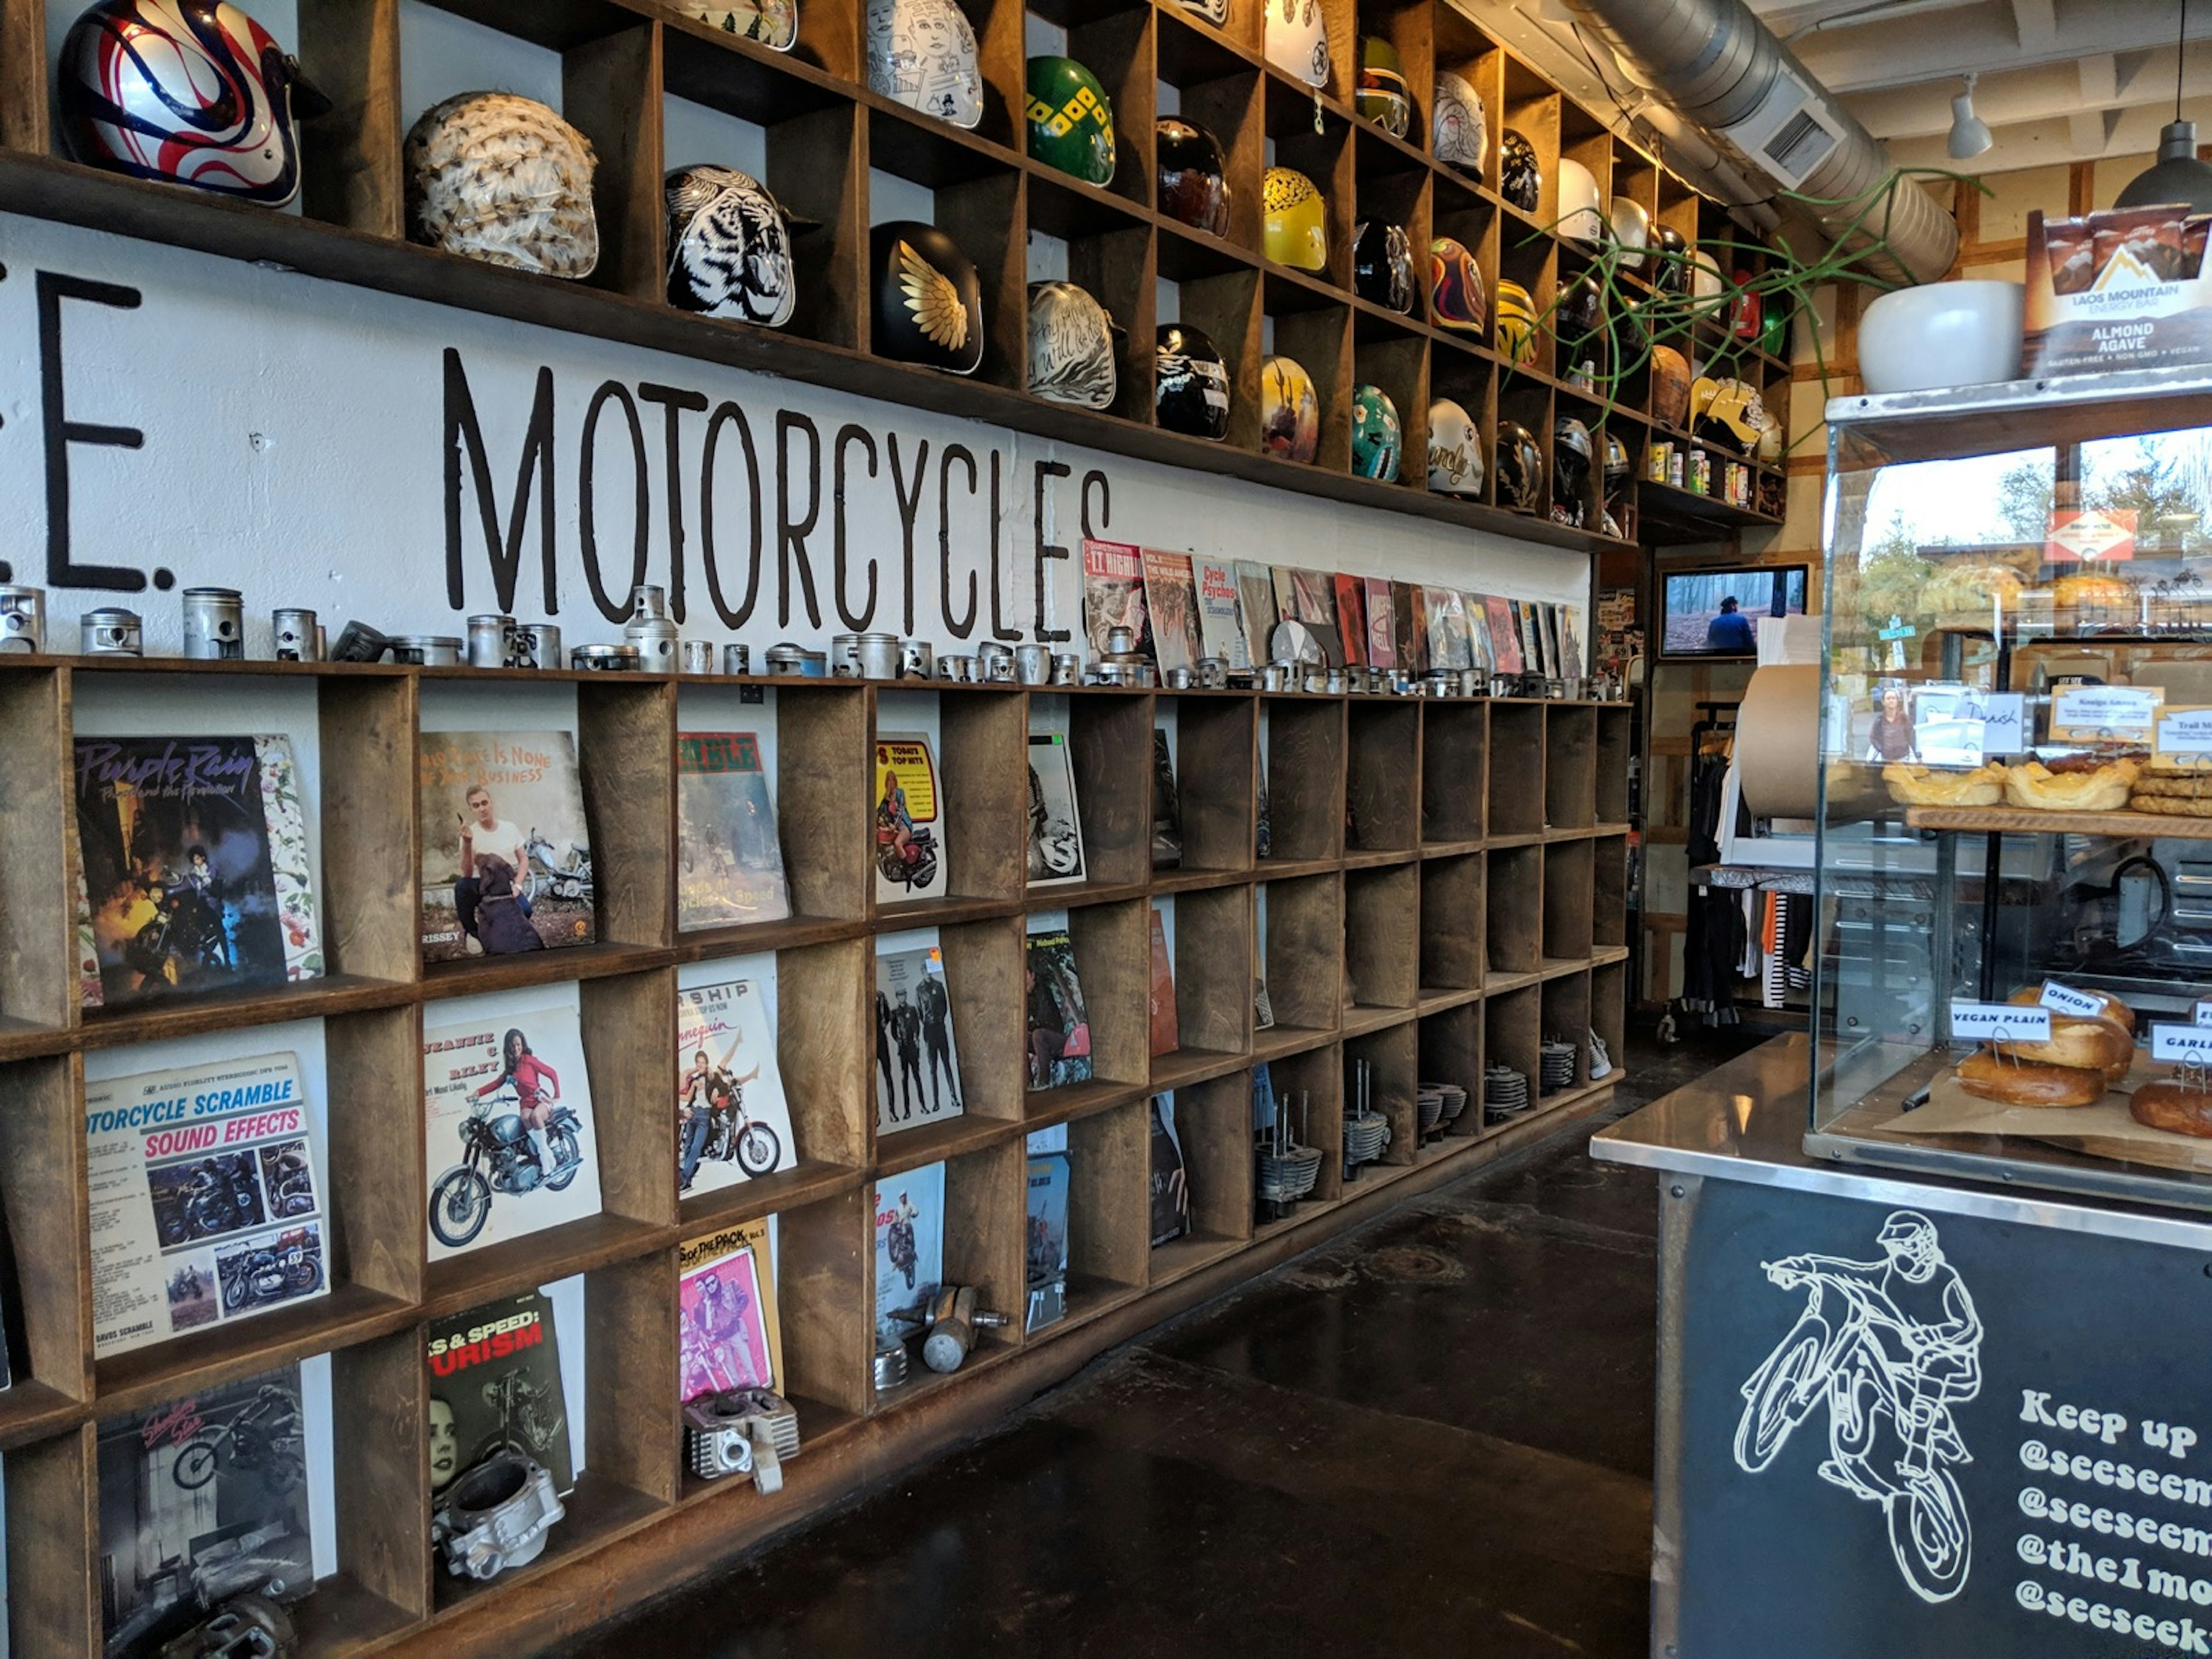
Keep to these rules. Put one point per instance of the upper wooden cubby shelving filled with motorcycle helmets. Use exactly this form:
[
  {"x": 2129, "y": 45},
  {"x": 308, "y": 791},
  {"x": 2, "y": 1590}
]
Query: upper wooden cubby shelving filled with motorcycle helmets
[{"x": 826, "y": 140}]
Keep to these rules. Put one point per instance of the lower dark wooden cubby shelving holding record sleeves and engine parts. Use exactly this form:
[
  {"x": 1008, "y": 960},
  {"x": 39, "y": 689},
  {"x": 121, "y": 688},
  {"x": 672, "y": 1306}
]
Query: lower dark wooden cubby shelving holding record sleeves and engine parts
[{"x": 1390, "y": 928}]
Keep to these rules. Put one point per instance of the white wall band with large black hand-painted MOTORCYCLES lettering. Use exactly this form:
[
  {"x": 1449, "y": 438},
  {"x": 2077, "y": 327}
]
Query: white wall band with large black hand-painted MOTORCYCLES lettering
[{"x": 171, "y": 419}]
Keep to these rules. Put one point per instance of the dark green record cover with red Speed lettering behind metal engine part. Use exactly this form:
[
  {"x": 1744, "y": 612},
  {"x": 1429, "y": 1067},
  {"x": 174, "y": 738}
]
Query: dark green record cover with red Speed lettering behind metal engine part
[{"x": 494, "y": 1386}]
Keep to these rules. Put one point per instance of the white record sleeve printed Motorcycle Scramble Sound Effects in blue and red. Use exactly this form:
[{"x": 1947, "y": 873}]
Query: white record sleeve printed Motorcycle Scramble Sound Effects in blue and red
[{"x": 207, "y": 1200}]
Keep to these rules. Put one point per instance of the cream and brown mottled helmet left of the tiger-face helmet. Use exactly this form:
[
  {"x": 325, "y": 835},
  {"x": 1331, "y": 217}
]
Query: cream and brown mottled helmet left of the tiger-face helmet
[{"x": 505, "y": 180}]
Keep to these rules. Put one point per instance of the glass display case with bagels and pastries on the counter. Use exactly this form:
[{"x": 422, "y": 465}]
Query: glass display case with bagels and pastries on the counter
[{"x": 2014, "y": 943}]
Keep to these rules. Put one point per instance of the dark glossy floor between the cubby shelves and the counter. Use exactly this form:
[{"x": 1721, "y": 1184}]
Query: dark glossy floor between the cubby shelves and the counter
[{"x": 1430, "y": 1437}]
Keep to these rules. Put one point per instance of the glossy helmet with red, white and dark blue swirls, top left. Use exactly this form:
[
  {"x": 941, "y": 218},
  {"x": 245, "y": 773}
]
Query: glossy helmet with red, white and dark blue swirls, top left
[{"x": 187, "y": 92}]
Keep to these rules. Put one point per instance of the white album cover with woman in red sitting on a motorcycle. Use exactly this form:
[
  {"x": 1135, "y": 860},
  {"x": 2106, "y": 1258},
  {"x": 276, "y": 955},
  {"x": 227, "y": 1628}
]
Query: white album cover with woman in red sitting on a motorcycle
[{"x": 508, "y": 1127}]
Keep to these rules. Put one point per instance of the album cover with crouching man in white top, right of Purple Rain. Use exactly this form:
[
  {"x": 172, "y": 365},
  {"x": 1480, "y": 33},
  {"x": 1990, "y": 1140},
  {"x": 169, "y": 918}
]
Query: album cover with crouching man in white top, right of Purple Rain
[{"x": 505, "y": 851}]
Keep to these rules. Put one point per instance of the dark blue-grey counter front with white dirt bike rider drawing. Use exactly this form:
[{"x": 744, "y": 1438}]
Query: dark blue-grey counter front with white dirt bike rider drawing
[{"x": 1919, "y": 1434}]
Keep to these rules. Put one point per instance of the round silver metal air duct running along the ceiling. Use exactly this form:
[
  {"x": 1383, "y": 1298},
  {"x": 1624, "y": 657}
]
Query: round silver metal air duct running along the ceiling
[{"x": 1715, "y": 67}]
